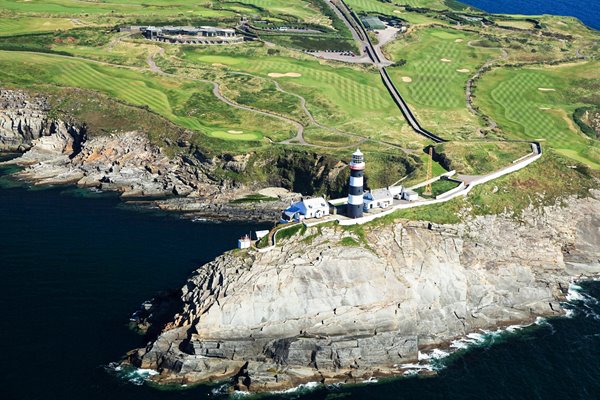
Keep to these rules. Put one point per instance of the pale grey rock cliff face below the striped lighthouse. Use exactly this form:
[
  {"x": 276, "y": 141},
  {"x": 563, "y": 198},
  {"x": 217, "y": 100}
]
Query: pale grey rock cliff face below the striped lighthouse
[{"x": 316, "y": 309}]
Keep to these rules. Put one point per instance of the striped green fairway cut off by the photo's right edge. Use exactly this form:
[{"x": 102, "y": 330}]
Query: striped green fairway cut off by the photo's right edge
[{"x": 512, "y": 97}]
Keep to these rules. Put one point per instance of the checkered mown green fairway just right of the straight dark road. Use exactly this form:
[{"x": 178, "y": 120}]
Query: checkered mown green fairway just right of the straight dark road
[{"x": 439, "y": 62}]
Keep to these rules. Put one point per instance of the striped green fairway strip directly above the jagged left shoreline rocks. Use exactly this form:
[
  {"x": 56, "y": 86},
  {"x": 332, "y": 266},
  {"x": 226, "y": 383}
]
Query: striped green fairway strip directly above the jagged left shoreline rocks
[{"x": 187, "y": 104}]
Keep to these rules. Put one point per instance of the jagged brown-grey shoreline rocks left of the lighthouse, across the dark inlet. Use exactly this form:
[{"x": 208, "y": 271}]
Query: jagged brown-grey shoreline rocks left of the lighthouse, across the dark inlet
[{"x": 56, "y": 152}]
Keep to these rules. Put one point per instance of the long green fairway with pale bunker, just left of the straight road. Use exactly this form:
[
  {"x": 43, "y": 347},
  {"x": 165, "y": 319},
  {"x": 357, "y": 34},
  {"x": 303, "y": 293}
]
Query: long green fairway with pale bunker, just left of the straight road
[{"x": 346, "y": 97}]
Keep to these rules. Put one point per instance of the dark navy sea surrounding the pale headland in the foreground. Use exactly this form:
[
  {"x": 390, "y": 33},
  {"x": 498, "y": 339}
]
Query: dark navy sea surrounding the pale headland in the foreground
[{"x": 74, "y": 266}]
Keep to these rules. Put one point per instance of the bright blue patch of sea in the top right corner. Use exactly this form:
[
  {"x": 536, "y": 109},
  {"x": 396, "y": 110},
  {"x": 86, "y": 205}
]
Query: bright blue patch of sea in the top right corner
[{"x": 588, "y": 11}]
